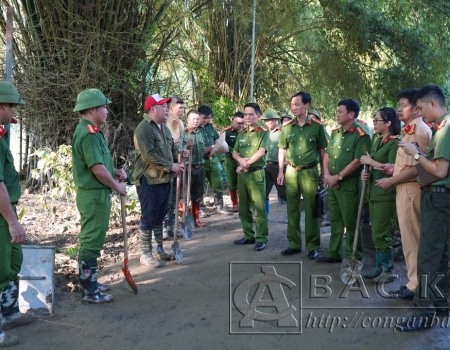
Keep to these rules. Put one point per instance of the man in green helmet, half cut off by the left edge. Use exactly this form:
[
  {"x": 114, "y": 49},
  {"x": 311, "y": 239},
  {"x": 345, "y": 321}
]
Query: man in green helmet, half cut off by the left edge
[{"x": 12, "y": 232}]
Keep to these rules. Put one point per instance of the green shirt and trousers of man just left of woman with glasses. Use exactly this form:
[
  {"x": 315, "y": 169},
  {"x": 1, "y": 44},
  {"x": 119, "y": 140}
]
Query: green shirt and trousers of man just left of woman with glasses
[{"x": 343, "y": 148}]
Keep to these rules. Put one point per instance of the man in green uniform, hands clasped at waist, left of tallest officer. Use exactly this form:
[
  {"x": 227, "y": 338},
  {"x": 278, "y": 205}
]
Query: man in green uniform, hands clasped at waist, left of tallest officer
[{"x": 249, "y": 152}]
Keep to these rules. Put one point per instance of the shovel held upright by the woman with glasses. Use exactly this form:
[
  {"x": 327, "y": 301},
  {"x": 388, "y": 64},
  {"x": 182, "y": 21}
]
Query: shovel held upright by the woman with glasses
[{"x": 351, "y": 268}]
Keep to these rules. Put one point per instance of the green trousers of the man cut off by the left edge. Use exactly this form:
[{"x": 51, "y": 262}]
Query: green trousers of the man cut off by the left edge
[{"x": 11, "y": 256}]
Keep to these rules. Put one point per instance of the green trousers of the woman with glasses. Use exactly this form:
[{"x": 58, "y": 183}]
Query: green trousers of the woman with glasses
[{"x": 382, "y": 217}]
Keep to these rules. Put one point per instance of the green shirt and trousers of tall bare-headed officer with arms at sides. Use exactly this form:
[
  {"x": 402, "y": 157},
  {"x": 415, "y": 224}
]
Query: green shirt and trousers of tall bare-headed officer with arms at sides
[{"x": 302, "y": 145}]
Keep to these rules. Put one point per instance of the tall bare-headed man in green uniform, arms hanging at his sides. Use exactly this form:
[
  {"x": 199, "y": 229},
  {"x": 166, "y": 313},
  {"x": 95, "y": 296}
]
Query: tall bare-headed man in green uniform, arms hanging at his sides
[{"x": 302, "y": 144}]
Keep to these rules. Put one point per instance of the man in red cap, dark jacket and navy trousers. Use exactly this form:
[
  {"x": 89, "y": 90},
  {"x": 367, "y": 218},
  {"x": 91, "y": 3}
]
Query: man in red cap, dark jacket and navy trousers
[{"x": 156, "y": 163}]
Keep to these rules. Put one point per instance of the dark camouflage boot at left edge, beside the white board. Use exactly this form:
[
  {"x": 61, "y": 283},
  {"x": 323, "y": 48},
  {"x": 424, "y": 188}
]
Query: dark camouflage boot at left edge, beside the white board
[{"x": 11, "y": 314}]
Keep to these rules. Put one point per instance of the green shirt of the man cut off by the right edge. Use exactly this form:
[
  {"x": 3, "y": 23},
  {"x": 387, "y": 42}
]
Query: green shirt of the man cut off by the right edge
[{"x": 440, "y": 145}]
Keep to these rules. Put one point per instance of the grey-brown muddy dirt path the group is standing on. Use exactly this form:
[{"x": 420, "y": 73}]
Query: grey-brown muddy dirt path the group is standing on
[{"x": 188, "y": 306}]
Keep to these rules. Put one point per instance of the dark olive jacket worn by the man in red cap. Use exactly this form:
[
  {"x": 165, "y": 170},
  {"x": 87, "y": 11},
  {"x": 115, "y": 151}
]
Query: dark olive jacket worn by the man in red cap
[{"x": 155, "y": 152}]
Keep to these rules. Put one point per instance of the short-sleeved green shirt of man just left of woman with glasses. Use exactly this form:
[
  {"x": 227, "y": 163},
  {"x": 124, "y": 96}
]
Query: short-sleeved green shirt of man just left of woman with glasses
[{"x": 346, "y": 146}]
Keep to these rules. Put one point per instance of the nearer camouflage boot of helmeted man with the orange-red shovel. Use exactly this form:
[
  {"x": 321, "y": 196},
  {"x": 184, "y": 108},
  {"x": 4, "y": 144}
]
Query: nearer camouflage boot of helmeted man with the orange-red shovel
[{"x": 88, "y": 281}]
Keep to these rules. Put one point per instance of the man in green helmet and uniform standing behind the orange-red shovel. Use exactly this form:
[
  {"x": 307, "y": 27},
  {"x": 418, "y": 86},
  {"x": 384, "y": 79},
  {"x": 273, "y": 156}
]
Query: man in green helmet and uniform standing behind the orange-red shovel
[{"x": 94, "y": 175}]
